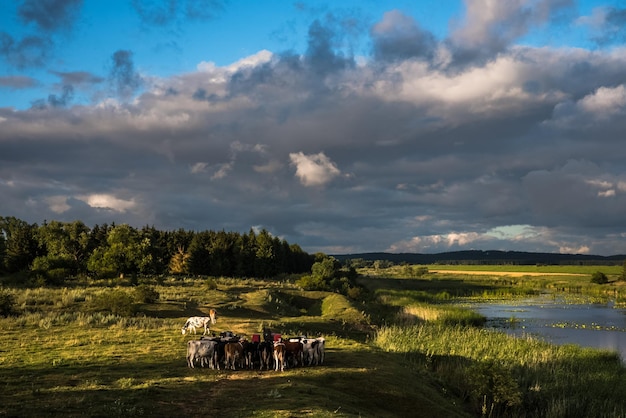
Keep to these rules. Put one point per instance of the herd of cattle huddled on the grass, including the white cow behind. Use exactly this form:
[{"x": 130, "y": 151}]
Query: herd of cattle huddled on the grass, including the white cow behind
[{"x": 231, "y": 352}]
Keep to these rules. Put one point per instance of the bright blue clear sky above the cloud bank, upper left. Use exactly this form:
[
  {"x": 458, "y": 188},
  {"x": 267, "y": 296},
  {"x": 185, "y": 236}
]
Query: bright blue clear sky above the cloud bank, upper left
[{"x": 166, "y": 39}]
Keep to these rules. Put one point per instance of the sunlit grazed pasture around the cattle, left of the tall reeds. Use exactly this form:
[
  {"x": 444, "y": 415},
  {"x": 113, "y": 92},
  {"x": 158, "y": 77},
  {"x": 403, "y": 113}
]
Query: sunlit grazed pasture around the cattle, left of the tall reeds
[{"x": 58, "y": 357}]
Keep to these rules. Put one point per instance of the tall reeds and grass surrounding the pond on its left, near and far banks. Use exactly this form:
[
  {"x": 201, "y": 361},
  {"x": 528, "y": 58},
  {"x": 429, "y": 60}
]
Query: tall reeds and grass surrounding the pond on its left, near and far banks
[{"x": 494, "y": 373}]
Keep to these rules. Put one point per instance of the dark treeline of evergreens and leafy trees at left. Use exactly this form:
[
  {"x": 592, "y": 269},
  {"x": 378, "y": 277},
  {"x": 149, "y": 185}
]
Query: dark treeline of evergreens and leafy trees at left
[{"x": 55, "y": 250}]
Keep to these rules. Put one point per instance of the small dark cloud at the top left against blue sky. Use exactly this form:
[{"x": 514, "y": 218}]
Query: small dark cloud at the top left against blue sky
[{"x": 50, "y": 15}]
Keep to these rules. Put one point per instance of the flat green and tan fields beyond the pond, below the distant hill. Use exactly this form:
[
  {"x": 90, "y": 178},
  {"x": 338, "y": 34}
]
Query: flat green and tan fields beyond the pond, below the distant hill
[{"x": 440, "y": 283}]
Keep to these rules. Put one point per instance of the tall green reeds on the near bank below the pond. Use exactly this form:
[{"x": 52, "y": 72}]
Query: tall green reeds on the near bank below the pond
[{"x": 500, "y": 375}]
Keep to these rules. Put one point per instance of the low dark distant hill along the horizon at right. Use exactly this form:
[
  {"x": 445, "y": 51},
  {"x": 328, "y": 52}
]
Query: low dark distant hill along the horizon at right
[{"x": 487, "y": 257}]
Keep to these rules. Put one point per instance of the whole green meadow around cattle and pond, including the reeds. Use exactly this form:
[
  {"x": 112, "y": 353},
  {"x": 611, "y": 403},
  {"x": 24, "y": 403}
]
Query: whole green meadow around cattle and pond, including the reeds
[{"x": 404, "y": 349}]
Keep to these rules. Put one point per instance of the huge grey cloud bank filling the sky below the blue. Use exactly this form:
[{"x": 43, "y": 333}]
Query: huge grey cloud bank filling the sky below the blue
[{"x": 407, "y": 152}]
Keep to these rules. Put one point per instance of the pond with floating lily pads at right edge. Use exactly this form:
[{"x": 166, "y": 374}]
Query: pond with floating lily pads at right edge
[{"x": 588, "y": 325}]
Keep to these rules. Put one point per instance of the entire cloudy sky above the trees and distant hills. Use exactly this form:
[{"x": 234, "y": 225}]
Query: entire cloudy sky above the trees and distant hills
[{"x": 341, "y": 126}]
